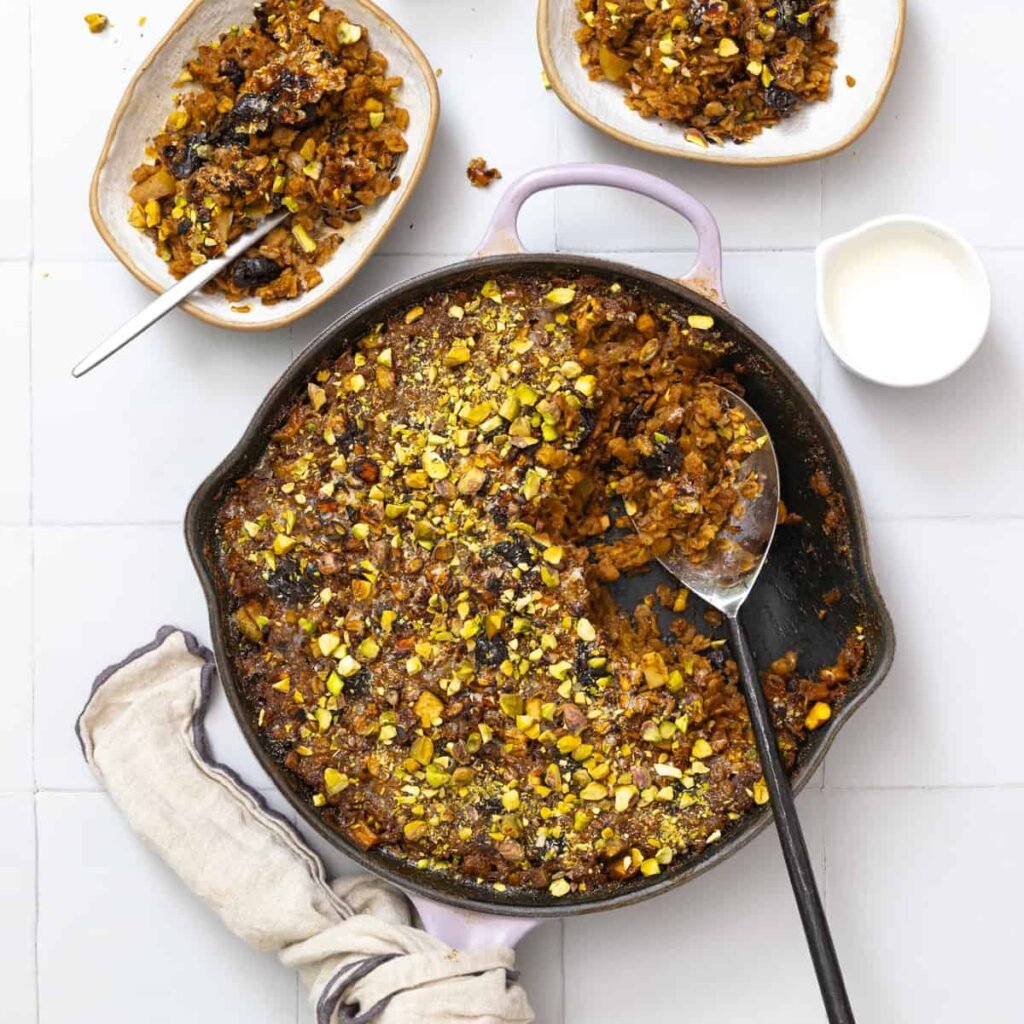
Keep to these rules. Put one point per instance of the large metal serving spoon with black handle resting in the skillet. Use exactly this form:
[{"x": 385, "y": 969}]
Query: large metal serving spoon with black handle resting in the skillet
[{"x": 726, "y": 580}]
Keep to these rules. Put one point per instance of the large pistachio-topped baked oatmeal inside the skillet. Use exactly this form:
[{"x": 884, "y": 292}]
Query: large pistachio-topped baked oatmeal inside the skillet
[{"x": 423, "y": 630}]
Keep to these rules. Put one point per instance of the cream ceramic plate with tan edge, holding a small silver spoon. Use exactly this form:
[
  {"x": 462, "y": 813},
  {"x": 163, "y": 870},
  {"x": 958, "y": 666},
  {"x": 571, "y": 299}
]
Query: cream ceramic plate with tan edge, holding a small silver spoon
[{"x": 147, "y": 104}]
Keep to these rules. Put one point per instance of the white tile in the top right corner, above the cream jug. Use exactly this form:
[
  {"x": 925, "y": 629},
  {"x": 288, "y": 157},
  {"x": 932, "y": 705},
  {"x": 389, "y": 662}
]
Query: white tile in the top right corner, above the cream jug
[{"x": 940, "y": 147}]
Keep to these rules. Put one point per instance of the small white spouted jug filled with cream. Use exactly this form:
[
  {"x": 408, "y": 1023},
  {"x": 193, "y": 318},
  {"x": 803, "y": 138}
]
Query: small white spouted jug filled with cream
[{"x": 903, "y": 302}]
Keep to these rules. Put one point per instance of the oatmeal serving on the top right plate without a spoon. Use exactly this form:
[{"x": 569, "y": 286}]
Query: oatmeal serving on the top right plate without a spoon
[{"x": 723, "y": 71}]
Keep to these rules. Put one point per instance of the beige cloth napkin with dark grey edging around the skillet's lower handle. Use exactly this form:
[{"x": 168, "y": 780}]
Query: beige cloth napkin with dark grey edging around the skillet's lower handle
[{"x": 353, "y": 941}]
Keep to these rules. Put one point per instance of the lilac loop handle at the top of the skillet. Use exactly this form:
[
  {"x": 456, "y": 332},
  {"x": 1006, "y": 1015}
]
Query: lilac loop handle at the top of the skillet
[{"x": 705, "y": 277}]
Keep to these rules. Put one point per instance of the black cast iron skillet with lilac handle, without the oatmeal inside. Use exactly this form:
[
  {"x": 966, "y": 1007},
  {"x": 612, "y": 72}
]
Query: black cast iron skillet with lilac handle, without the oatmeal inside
[{"x": 784, "y": 612}]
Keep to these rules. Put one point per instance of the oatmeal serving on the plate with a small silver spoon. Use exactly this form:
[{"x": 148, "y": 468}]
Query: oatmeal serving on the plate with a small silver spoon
[{"x": 294, "y": 112}]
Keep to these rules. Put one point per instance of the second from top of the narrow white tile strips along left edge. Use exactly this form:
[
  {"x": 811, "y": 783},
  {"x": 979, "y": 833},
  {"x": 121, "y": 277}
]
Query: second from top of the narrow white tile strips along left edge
[{"x": 15, "y": 416}]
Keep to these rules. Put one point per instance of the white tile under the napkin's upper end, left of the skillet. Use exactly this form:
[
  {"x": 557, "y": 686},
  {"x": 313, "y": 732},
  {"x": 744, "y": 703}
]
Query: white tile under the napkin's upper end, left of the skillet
[{"x": 124, "y": 583}]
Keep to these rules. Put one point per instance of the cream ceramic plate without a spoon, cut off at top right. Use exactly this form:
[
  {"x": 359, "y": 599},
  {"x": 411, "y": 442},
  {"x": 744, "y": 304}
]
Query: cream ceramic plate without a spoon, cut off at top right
[{"x": 870, "y": 34}]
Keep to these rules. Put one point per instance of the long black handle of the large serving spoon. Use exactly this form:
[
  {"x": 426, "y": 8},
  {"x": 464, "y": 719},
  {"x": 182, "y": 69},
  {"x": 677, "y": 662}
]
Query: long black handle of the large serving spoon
[{"x": 792, "y": 837}]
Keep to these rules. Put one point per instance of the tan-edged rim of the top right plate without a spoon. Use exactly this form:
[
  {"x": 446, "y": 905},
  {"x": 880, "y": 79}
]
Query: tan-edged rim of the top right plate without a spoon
[{"x": 714, "y": 155}]
